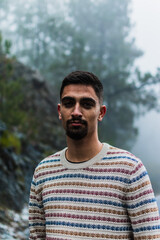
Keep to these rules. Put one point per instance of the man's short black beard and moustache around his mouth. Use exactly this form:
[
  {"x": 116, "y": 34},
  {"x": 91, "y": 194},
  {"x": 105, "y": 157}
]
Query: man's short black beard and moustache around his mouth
[{"x": 76, "y": 132}]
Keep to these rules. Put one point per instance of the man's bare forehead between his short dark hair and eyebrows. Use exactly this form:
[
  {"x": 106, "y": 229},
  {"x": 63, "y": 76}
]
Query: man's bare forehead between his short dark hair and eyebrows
[{"x": 79, "y": 91}]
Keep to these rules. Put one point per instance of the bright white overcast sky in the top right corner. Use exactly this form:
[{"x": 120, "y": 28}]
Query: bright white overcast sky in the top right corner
[{"x": 146, "y": 16}]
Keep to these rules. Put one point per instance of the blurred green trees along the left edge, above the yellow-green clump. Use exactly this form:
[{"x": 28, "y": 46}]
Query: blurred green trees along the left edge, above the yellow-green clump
[{"x": 11, "y": 94}]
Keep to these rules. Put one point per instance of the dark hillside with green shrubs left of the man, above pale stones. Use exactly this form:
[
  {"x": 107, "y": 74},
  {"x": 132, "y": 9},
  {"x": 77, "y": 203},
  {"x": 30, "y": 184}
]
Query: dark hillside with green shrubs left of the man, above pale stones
[{"x": 24, "y": 141}]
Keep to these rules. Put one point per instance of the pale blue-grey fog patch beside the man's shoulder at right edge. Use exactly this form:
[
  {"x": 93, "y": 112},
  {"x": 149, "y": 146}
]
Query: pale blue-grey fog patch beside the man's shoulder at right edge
[{"x": 147, "y": 146}]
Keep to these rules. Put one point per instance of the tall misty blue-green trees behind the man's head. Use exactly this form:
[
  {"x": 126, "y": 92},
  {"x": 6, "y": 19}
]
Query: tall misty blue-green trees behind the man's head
[{"x": 59, "y": 37}]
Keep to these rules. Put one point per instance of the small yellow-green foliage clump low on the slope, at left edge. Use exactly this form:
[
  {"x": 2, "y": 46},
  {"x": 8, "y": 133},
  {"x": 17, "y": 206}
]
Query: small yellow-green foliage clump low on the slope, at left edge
[{"x": 9, "y": 140}]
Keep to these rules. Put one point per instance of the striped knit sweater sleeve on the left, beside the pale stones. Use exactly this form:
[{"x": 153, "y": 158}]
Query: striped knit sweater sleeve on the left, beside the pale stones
[{"x": 36, "y": 213}]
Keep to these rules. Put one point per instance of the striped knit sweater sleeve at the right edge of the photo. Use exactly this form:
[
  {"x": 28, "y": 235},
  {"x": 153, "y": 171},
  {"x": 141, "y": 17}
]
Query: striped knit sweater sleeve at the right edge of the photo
[{"x": 141, "y": 205}]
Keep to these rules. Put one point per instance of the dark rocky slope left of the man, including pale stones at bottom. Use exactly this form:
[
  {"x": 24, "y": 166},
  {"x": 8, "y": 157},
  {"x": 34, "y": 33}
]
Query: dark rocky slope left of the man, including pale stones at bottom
[{"x": 43, "y": 135}]
